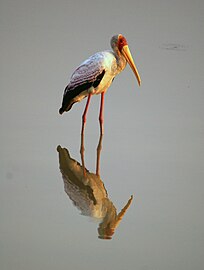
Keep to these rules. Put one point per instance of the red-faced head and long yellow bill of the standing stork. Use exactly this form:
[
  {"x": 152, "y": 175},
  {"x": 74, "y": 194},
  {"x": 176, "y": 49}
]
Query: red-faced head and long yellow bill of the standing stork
[{"x": 119, "y": 43}]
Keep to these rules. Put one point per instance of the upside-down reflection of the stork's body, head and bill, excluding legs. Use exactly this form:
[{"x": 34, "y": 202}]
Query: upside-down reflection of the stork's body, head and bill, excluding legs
[{"x": 89, "y": 195}]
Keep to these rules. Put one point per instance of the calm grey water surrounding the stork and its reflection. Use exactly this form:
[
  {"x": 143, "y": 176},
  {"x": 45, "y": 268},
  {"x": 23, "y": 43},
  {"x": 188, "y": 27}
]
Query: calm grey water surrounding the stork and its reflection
[{"x": 153, "y": 145}]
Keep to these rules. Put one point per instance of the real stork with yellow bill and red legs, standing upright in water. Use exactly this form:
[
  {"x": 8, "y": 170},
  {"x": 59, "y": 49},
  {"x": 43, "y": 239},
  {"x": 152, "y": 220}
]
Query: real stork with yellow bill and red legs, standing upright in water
[{"x": 96, "y": 74}]
